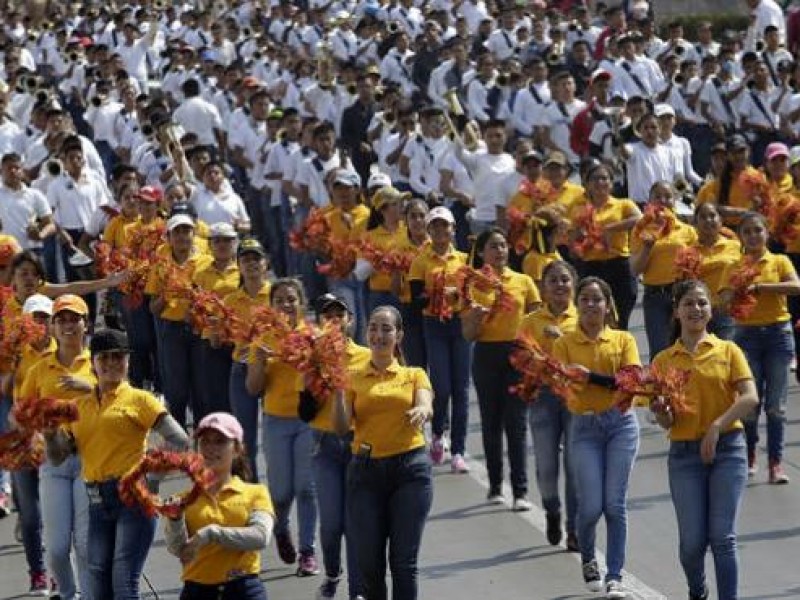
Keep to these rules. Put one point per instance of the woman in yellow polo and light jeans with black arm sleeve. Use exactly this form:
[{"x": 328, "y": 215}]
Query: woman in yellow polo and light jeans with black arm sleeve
[{"x": 604, "y": 440}]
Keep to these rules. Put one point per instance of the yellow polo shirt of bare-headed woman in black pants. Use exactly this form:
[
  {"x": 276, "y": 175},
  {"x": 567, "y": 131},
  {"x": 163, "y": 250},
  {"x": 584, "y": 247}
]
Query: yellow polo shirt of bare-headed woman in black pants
[{"x": 502, "y": 326}]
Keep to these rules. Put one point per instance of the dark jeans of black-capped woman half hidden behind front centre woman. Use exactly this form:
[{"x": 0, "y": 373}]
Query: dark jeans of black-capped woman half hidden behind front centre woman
[{"x": 331, "y": 457}]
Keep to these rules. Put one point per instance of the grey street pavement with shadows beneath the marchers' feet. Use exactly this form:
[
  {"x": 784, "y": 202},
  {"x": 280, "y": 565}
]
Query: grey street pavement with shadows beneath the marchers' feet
[{"x": 473, "y": 551}]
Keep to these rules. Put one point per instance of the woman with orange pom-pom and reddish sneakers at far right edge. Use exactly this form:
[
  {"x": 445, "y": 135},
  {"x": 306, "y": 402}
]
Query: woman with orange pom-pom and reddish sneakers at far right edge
[{"x": 766, "y": 338}]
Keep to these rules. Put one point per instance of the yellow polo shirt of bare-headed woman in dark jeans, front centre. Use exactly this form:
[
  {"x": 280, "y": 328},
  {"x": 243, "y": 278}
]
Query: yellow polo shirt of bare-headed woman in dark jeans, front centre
[{"x": 380, "y": 400}]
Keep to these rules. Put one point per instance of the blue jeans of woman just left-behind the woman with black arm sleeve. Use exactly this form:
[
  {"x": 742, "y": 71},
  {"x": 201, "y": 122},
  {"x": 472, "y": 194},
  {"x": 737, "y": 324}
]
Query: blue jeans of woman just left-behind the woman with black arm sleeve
[{"x": 549, "y": 421}]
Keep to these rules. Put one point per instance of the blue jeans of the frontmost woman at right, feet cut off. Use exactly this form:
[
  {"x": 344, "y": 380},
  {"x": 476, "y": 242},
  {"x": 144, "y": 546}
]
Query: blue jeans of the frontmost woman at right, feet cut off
[{"x": 707, "y": 500}]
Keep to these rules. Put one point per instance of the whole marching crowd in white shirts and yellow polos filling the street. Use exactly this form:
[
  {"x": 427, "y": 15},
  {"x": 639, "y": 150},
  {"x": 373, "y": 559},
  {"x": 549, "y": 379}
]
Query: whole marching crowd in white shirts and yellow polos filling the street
[{"x": 442, "y": 181}]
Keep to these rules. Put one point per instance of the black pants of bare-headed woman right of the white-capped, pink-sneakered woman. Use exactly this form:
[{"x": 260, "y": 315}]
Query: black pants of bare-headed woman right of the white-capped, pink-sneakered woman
[{"x": 500, "y": 411}]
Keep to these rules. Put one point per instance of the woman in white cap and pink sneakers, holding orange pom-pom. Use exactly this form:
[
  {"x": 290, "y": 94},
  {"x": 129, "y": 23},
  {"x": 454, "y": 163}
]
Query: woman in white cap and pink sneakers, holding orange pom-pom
[{"x": 447, "y": 350}]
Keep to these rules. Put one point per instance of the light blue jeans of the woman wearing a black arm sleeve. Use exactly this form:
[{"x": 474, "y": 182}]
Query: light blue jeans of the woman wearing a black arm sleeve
[{"x": 603, "y": 449}]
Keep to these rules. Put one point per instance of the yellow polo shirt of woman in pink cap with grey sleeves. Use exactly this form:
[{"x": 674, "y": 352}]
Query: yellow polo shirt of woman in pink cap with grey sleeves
[{"x": 231, "y": 507}]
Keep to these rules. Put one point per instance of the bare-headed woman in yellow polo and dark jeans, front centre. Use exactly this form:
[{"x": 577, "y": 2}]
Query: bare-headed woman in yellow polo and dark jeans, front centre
[{"x": 389, "y": 477}]
